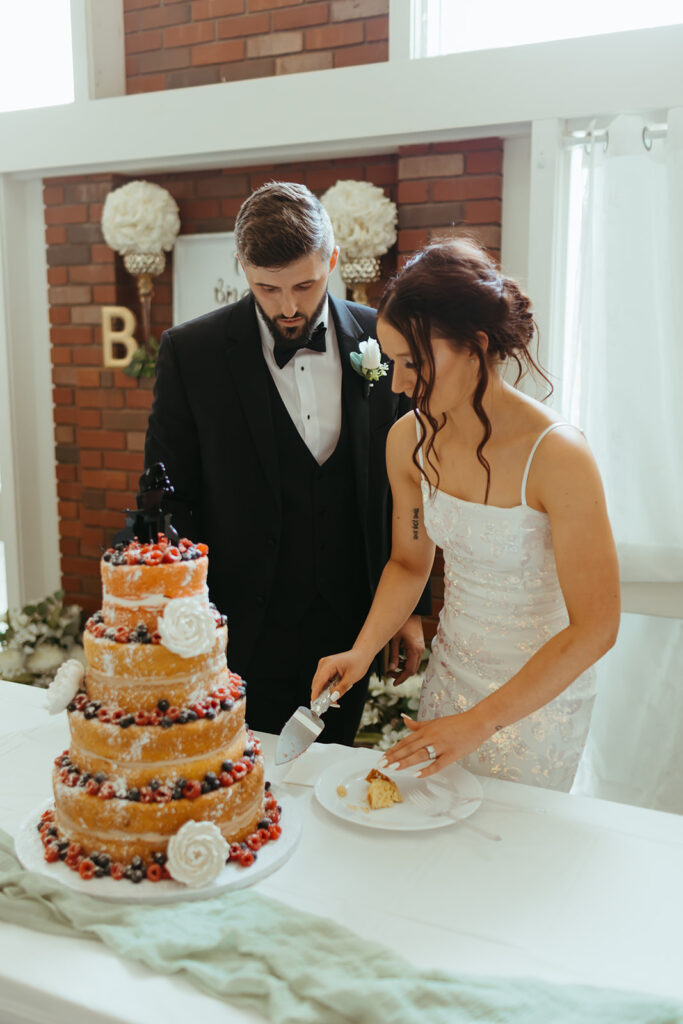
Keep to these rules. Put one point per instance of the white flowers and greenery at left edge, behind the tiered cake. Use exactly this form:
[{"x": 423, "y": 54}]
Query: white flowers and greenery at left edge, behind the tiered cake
[{"x": 35, "y": 641}]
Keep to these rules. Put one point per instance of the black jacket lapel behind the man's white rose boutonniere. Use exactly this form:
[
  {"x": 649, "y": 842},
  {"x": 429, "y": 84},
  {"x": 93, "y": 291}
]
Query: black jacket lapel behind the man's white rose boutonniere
[{"x": 356, "y": 398}]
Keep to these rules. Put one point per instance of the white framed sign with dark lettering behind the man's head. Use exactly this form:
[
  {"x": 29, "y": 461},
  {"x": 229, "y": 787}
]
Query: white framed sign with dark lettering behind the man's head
[{"x": 207, "y": 275}]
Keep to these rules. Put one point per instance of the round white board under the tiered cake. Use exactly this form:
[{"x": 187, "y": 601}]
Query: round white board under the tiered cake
[{"x": 30, "y": 851}]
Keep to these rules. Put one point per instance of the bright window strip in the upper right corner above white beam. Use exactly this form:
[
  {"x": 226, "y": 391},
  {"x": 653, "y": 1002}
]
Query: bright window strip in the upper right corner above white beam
[{"x": 455, "y": 27}]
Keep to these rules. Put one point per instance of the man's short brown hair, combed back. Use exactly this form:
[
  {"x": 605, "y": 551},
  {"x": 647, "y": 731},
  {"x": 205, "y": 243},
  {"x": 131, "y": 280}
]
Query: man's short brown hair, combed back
[{"x": 281, "y": 223}]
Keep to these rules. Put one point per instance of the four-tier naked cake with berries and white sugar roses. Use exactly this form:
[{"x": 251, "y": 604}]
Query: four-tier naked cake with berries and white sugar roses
[{"x": 161, "y": 758}]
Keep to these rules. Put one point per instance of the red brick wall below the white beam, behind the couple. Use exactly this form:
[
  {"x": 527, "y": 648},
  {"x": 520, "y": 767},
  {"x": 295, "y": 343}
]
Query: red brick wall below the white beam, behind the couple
[{"x": 101, "y": 415}]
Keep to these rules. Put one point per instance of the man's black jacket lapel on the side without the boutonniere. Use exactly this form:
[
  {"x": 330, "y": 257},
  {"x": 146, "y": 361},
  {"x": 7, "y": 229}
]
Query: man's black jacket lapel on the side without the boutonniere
[{"x": 247, "y": 368}]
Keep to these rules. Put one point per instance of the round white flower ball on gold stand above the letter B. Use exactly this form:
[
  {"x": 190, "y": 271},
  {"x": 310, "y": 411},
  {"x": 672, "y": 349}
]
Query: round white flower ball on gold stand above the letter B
[{"x": 141, "y": 218}]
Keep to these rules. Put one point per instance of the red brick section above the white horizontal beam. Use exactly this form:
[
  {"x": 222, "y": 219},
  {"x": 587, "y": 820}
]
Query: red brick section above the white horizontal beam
[{"x": 172, "y": 45}]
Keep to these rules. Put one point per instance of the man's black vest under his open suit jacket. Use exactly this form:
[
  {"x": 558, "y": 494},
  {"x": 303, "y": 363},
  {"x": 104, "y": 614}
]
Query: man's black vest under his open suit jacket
[{"x": 324, "y": 553}]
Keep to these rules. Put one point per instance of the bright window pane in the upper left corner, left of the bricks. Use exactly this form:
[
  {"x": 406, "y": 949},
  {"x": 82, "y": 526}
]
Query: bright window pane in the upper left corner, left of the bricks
[{"x": 36, "y": 68}]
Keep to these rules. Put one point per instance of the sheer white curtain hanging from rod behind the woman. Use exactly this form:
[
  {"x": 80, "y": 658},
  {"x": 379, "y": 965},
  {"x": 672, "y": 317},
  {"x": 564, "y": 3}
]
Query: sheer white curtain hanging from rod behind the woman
[{"x": 620, "y": 361}]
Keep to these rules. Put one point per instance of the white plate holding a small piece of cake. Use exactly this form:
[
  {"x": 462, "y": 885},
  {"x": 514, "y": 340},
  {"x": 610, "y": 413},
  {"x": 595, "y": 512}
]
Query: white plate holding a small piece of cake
[{"x": 453, "y": 794}]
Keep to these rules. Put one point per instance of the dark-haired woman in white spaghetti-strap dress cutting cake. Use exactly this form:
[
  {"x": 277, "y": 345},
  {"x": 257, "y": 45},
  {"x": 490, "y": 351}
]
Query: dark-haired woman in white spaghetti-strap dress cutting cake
[{"x": 514, "y": 497}]
